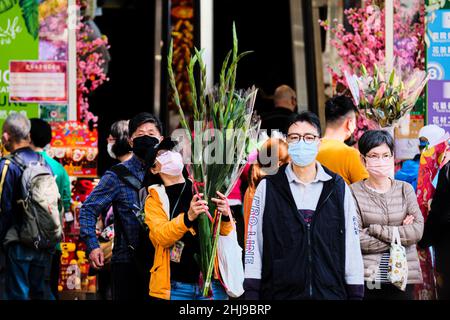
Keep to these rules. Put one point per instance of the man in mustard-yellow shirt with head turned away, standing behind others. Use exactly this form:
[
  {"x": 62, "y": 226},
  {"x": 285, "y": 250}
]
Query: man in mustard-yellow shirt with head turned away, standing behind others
[{"x": 335, "y": 150}]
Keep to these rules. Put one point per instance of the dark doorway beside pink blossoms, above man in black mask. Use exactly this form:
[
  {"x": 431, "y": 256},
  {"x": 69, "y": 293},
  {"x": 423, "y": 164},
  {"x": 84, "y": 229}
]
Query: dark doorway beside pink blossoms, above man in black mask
[{"x": 130, "y": 30}]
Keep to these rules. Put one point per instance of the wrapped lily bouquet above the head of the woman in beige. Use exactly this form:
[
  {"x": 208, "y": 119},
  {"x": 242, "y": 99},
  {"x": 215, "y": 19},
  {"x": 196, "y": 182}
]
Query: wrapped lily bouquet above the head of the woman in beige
[{"x": 386, "y": 98}]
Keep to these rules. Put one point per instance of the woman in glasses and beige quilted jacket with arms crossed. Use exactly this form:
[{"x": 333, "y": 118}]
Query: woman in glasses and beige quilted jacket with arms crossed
[{"x": 382, "y": 204}]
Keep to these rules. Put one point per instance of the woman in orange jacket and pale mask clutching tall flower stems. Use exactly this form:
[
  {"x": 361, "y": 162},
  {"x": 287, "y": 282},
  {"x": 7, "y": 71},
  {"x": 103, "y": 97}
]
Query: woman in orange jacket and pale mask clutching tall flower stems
[{"x": 171, "y": 212}]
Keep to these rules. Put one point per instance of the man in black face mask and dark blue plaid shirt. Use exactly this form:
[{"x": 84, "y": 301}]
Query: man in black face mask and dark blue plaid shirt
[{"x": 129, "y": 279}]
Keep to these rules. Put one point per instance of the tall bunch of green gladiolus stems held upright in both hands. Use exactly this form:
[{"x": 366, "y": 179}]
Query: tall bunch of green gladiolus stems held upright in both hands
[{"x": 224, "y": 128}]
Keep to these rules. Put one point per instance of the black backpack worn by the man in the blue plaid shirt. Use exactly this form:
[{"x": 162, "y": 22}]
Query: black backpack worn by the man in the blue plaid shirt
[{"x": 143, "y": 254}]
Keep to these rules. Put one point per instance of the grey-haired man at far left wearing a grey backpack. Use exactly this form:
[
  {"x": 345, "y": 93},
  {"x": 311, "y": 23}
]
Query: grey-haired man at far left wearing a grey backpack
[{"x": 26, "y": 267}]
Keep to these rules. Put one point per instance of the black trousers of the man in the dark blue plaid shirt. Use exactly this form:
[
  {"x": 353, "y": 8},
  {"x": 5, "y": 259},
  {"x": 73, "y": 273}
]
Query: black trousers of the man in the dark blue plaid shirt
[{"x": 129, "y": 282}]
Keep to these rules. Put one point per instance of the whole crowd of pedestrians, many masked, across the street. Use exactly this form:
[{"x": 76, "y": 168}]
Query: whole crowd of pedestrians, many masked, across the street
[{"x": 317, "y": 217}]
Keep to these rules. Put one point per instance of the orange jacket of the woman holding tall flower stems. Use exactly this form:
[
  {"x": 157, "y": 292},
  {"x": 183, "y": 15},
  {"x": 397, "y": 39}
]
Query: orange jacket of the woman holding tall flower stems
[{"x": 163, "y": 234}]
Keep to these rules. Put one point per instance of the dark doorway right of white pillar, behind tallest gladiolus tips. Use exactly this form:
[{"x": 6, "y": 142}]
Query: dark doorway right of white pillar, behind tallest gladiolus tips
[{"x": 265, "y": 28}]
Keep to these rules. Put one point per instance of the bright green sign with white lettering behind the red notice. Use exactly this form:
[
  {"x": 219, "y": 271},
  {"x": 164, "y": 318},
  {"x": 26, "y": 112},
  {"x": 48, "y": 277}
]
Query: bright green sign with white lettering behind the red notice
[{"x": 19, "y": 40}]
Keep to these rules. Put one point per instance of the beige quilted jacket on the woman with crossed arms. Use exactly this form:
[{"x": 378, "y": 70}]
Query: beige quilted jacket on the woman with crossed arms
[{"x": 377, "y": 214}]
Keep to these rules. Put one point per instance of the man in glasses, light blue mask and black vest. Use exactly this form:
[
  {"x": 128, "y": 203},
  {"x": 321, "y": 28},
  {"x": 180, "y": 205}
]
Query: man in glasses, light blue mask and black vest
[{"x": 303, "y": 239}]
